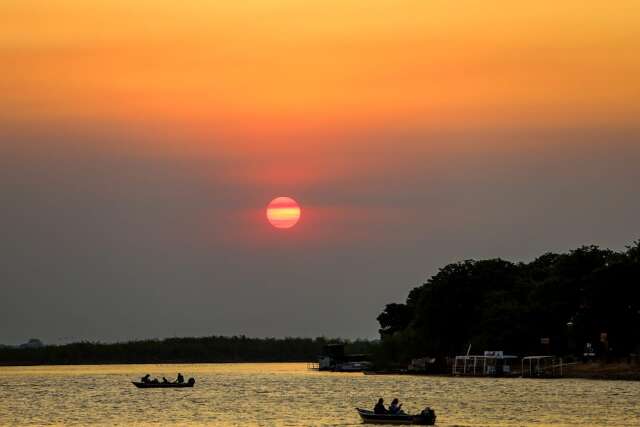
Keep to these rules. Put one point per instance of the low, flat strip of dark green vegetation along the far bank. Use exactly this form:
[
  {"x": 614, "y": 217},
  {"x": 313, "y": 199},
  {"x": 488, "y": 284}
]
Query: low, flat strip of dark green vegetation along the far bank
[{"x": 205, "y": 349}]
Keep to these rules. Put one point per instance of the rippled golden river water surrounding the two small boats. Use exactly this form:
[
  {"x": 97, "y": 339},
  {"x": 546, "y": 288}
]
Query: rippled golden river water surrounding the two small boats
[{"x": 288, "y": 394}]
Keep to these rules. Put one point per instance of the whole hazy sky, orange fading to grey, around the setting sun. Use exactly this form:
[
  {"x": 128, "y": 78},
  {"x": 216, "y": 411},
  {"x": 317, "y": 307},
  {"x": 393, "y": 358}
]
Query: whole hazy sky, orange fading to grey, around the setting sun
[{"x": 140, "y": 143}]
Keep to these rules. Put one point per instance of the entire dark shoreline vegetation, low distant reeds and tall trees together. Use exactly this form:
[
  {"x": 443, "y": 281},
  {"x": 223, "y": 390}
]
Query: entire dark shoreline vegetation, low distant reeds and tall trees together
[{"x": 582, "y": 306}]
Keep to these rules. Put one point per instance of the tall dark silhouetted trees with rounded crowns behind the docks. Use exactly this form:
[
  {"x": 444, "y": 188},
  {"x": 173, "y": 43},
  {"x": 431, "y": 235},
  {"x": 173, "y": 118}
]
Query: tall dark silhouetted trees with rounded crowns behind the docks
[{"x": 555, "y": 304}]
